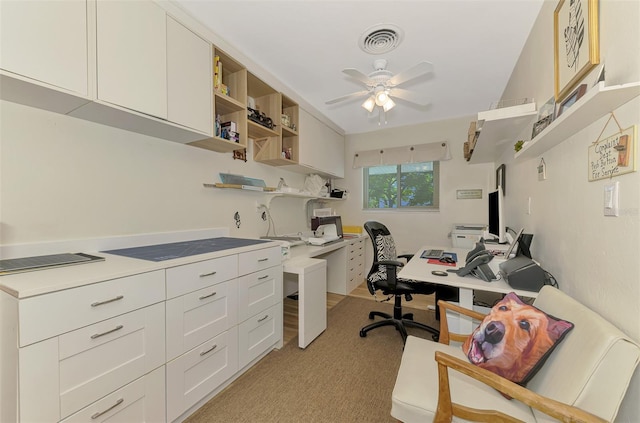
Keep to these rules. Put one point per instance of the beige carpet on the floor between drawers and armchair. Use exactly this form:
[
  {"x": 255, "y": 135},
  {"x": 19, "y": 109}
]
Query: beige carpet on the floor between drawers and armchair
[{"x": 340, "y": 377}]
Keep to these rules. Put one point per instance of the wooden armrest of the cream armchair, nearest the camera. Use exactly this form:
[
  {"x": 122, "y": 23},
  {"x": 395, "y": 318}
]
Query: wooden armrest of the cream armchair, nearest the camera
[{"x": 447, "y": 409}]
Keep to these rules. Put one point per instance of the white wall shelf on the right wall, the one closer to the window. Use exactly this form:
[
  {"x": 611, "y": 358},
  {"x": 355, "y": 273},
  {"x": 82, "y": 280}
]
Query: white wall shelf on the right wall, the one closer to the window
[{"x": 500, "y": 127}]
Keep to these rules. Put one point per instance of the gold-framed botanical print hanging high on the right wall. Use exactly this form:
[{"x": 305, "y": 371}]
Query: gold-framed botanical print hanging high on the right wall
[{"x": 576, "y": 43}]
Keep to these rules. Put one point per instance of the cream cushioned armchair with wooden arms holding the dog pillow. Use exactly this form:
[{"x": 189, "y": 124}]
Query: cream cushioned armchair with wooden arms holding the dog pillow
[{"x": 584, "y": 379}]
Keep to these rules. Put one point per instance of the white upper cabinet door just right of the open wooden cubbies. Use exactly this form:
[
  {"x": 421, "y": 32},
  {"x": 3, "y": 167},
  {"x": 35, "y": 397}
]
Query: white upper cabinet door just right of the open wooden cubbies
[{"x": 320, "y": 147}]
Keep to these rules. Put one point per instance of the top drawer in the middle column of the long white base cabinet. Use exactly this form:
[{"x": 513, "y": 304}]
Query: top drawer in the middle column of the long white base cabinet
[{"x": 194, "y": 276}]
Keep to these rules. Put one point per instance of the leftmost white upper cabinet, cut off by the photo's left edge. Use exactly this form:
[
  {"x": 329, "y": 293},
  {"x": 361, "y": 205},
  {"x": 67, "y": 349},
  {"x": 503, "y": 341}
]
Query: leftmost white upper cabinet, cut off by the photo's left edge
[{"x": 43, "y": 59}]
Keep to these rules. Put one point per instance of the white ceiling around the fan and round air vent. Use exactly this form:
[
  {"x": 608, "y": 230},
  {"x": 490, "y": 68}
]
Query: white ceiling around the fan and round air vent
[{"x": 473, "y": 45}]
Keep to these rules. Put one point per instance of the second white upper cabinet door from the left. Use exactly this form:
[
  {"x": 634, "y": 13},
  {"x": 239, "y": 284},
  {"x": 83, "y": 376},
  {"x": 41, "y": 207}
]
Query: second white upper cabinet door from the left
[{"x": 132, "y": 59}]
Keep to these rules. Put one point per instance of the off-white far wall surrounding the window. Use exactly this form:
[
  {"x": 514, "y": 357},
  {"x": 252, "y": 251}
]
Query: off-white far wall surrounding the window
[{"x": 411, "y": 230}]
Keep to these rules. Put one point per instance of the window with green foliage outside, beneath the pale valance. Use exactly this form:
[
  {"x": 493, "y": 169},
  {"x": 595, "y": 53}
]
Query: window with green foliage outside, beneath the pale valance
[{"x": 403, "y": 187}]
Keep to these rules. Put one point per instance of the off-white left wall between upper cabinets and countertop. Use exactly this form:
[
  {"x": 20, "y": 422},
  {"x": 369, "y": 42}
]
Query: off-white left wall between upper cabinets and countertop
[{"x": 63, "y": 178}]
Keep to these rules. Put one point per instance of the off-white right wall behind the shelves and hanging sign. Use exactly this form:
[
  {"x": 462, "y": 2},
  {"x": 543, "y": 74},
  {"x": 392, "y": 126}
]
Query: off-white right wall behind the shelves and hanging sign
[{"x": 594, "y": 258}]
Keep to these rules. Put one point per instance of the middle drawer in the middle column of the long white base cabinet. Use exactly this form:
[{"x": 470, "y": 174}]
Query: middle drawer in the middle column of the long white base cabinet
[{"x": 199, "y": 316}]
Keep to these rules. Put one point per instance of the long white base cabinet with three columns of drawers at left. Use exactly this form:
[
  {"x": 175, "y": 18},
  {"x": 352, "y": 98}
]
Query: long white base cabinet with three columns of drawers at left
[{"x": 143, "y": 347}]
